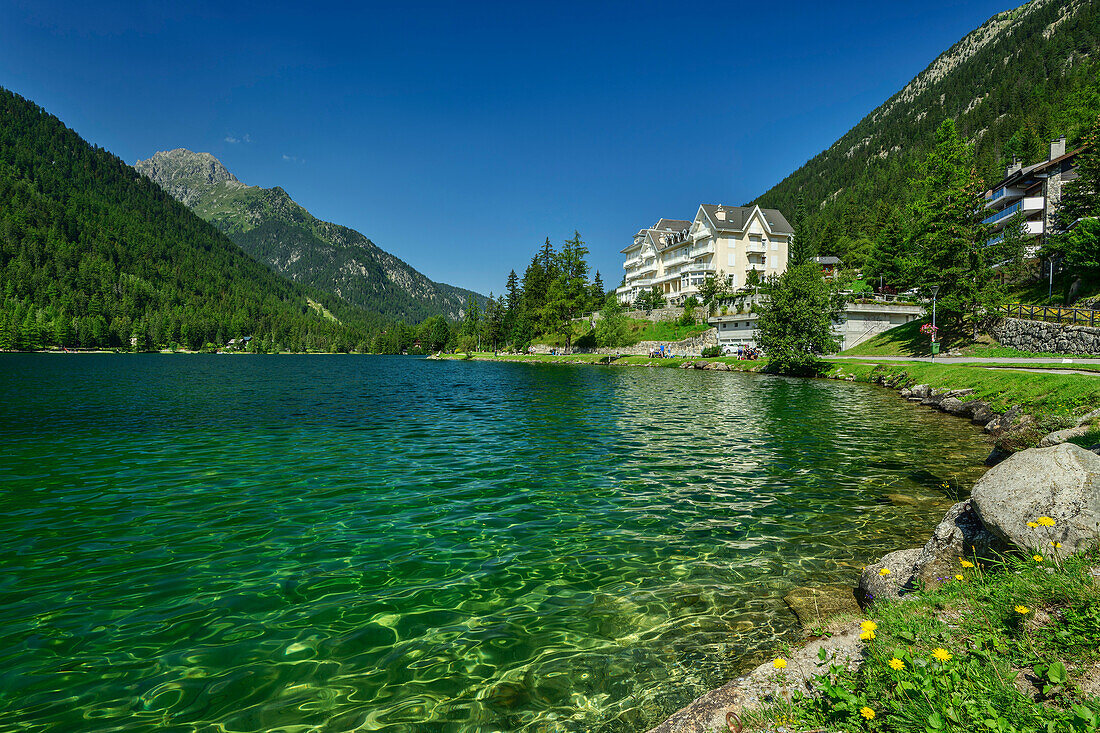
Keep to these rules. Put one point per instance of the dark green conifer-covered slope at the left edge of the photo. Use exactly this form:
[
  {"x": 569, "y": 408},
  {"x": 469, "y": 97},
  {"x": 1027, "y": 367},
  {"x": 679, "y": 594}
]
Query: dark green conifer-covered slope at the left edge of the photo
[{"x": 94, "y": 255}]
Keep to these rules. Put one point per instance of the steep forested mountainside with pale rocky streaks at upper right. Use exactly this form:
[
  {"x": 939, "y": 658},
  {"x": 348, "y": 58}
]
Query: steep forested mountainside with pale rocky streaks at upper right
[{"x": 1026, "y": 78}]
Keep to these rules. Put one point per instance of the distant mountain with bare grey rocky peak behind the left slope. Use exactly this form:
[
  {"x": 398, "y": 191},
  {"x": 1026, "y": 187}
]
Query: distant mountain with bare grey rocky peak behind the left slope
[{"x": 271, "y": 227}]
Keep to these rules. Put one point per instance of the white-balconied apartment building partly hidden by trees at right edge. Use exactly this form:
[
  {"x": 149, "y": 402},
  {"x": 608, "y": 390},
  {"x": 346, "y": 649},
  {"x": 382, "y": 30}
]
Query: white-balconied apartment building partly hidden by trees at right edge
[{"x": 1036, "y": 191}]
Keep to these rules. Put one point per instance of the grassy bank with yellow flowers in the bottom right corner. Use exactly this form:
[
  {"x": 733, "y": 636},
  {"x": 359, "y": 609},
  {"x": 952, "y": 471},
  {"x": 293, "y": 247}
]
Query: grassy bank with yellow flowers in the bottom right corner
[{"x": 1024, "y": 638}]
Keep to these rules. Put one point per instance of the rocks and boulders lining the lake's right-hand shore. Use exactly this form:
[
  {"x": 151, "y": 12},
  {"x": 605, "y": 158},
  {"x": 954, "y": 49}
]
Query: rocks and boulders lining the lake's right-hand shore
[{"x": 1057, "y": 479}]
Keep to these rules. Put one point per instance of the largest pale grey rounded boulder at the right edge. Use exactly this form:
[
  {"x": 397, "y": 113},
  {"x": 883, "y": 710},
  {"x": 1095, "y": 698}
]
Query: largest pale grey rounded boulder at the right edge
[{"x": 1062, "y": 483}]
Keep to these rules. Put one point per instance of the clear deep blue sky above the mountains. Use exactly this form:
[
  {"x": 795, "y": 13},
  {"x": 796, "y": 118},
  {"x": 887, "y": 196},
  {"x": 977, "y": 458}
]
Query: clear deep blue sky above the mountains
[{"x": 459, "y": 136}]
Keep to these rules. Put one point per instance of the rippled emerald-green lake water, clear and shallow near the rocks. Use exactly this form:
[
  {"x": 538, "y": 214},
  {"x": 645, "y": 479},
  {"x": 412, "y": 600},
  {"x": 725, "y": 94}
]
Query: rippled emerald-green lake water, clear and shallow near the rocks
[{"x": 365, "y": 543}]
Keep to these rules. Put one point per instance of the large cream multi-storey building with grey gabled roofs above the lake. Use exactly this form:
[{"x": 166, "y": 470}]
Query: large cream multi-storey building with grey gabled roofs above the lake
[{"x": 723, "y": 242}]
